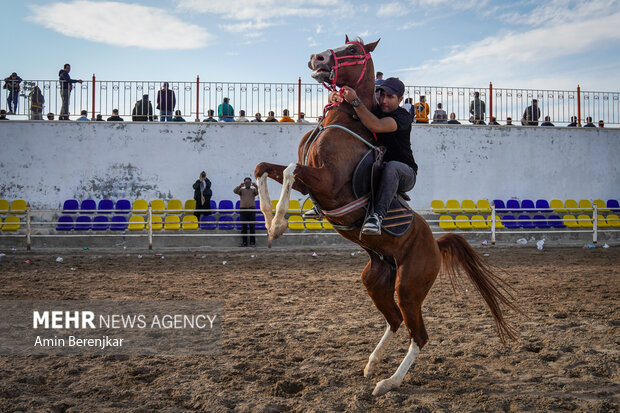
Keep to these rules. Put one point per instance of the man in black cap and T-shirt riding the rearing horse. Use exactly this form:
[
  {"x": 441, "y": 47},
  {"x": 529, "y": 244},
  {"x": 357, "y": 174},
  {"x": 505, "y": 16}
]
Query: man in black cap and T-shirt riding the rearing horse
[{"x": 392, "y": 125}]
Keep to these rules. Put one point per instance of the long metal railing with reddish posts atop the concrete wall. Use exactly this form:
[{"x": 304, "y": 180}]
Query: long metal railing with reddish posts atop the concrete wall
[{"x": 195, "y": 98}]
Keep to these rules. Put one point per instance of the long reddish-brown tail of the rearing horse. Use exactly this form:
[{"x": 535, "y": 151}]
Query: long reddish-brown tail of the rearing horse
[{"x": 456, "y": 253}]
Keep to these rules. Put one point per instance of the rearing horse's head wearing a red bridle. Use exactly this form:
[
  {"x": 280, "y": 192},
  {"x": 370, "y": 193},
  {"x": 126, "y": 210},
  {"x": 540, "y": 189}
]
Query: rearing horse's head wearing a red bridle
[{"x": 345, "y": 65}]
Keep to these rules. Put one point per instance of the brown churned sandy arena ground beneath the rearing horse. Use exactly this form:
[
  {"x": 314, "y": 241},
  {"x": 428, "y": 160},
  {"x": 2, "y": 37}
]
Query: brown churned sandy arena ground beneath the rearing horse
[{"x": 298, "y": 330}]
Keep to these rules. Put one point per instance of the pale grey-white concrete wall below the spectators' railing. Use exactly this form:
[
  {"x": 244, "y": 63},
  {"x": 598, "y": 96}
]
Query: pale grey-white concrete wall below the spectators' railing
[{"x": 48, "y": 162}]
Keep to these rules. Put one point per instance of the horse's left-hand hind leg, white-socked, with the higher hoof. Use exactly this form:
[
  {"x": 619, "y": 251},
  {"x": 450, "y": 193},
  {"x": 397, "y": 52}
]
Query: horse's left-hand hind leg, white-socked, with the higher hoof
[{"x": 378, "y": 278}]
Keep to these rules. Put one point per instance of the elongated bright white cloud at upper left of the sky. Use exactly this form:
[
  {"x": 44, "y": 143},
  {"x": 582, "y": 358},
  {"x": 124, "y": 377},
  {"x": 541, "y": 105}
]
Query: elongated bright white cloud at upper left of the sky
[{"x": 120, "y": 24}]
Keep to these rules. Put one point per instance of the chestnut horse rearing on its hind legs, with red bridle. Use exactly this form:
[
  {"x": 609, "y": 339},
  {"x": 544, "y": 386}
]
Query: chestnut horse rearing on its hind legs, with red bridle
[{"x": 406, "y": 265}]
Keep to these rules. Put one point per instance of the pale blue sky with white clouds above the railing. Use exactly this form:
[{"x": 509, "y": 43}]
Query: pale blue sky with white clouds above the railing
[{"x": 554, "y": 44}]
